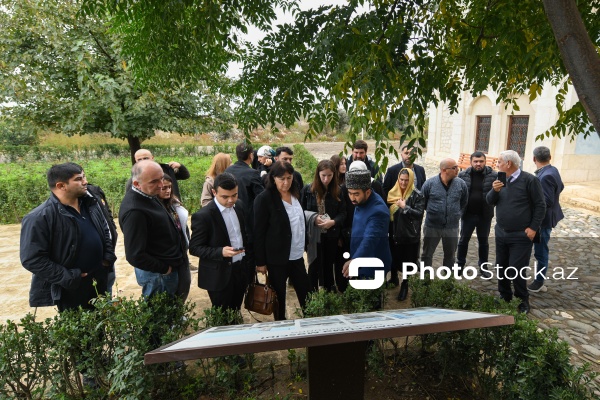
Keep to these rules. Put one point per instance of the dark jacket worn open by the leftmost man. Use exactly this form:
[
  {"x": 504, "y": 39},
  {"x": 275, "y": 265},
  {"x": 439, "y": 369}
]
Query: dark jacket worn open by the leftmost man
[{"x": 49, "y": 240}]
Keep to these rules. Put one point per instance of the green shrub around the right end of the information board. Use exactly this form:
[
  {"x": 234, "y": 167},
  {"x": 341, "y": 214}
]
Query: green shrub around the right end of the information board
[{"x": 517, "y": 361}]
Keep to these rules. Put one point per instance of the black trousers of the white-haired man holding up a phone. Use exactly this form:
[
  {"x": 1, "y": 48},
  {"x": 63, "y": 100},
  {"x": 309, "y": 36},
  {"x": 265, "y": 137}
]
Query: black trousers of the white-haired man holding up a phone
[{"x": 513, "y": 251}]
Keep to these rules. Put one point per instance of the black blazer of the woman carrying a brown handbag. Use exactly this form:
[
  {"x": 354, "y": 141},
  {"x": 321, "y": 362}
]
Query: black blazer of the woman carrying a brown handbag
[{"x": 272, "y": 231}]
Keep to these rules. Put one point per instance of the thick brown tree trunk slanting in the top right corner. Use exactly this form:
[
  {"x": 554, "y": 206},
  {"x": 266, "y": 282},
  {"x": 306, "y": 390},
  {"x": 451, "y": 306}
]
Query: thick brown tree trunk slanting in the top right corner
[{"x": 578, "y": 54}]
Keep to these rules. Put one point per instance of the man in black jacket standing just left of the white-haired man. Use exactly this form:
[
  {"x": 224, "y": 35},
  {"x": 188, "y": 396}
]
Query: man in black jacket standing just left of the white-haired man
[{"x": 478, "y": 214}]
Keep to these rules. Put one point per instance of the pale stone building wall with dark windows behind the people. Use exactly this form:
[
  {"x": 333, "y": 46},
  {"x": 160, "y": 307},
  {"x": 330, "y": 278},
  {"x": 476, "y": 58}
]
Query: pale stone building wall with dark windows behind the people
[{"x": 452, "y": 134}]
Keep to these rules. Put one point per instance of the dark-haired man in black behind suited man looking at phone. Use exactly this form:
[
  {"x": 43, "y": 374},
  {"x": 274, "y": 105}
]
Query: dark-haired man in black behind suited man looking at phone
[{"x": 249, "y": 182}]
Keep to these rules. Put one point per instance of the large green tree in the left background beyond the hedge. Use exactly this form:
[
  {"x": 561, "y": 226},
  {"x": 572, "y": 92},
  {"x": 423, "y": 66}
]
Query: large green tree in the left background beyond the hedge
[{"x": 64, "y": 72}]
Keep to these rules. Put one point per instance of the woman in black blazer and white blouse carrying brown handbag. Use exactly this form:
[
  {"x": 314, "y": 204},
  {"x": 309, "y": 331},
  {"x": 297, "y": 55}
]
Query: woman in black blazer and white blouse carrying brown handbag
[{"x": 279, "y": 235}]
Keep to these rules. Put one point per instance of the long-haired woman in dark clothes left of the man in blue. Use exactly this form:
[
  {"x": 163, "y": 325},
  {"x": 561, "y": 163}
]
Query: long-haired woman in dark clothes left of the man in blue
[{"x": 324, "y": 197}]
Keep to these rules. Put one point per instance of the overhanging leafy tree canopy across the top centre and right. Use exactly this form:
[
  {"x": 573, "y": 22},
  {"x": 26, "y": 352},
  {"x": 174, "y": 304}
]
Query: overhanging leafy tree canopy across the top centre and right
[{"x": 383, "y": 61}]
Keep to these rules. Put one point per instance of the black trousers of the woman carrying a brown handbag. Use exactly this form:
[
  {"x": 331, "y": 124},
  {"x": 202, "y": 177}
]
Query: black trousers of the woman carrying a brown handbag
[{"x": 278, "y": 275}]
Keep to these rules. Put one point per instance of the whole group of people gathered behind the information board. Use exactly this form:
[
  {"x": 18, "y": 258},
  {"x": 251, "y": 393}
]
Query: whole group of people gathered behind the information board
[{"x": 263, "y": 220}]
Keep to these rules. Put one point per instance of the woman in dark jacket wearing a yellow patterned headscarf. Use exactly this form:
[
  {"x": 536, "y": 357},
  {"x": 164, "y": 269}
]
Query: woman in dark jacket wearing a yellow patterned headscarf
[{"x": 406, "y": 211}]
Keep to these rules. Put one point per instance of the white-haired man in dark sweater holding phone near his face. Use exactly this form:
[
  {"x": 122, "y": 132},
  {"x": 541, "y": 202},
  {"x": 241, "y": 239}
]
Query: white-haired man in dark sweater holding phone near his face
[{"x": 520, "y": 209}]
